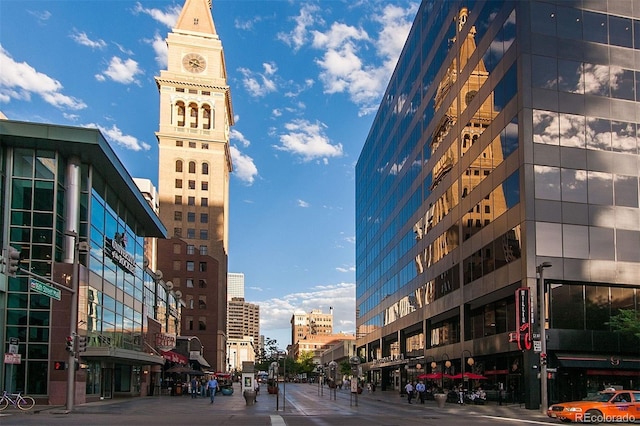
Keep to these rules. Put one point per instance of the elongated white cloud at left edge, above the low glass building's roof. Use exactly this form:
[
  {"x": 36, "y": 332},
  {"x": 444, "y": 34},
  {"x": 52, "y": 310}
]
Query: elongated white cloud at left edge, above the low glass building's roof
[{"x": 20, "y": 81}]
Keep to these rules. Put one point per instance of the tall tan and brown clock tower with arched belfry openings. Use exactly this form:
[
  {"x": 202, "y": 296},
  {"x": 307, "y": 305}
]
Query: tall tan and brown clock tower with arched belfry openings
[{"x": 193, "y": 183}]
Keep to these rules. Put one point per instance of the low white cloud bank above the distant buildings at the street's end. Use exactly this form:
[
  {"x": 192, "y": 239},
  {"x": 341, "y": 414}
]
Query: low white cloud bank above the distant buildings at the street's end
[{"x": 275, "y": 314}]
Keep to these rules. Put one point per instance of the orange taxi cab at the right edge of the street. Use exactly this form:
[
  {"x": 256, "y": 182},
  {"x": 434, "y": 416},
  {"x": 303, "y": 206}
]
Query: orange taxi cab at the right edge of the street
[{"x": 607, "y": 406}]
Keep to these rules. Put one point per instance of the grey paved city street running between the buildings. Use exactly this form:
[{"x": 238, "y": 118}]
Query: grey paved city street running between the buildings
[{"x": 304, "y": 404}]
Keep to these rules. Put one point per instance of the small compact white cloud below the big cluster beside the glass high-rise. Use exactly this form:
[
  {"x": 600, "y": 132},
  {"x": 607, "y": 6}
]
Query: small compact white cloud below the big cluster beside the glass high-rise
[{"x": 308, "y": 140}]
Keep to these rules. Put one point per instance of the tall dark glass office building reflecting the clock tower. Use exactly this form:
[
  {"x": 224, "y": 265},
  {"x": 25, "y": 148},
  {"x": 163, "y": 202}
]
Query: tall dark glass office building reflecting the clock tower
[{"x": 504, "y": 158}]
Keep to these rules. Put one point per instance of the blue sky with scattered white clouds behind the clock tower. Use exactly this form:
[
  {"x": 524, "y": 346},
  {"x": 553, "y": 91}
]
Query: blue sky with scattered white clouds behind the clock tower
[{"x": 306, "y": 79}]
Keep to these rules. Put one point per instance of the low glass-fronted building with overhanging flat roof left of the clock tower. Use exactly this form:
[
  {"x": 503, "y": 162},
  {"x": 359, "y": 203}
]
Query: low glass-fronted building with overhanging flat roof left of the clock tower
[{"x": 75, "y": 214}]
